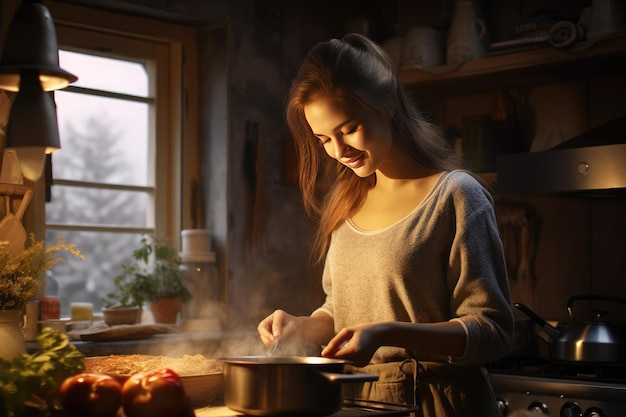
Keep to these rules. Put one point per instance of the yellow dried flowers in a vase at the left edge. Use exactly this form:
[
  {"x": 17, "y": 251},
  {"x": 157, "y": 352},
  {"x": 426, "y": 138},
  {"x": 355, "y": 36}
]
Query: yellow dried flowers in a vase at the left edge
[{"x": 21, "y": 276}]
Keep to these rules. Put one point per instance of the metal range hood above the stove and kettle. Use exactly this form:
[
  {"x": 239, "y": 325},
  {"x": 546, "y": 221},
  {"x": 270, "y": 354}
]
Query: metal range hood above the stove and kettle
[{"x": 591, "y": 164}]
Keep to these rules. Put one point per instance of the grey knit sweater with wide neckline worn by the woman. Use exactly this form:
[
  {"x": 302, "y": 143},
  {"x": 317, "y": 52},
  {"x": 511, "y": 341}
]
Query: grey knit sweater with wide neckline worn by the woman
[{"x": 443, "y": 261}]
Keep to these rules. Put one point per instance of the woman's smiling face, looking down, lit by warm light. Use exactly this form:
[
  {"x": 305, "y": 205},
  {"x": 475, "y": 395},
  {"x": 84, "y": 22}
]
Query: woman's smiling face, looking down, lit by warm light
[{"x": 357, "y": 138}]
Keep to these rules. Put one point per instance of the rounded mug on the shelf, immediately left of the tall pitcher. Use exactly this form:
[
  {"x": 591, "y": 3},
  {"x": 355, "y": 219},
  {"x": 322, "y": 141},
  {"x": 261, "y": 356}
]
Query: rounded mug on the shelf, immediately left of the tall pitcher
[{"x": 424, "y": 47}]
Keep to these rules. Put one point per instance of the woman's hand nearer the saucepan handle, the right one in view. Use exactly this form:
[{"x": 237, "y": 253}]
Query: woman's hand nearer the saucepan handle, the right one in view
[{"x": 356, "y": 344}]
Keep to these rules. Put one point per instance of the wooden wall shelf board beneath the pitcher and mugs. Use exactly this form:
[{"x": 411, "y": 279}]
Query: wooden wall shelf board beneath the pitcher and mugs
[{"x": 521, "y": 68}]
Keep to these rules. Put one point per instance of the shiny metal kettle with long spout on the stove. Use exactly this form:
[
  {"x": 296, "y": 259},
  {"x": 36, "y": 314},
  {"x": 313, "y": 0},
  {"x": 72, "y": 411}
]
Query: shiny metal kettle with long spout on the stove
[{"x": 594, "y": 341}]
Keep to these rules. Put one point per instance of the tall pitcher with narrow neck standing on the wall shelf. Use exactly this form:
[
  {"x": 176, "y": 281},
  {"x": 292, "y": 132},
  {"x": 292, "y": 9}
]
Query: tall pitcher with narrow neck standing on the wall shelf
[{"x": 465, "y": 37}]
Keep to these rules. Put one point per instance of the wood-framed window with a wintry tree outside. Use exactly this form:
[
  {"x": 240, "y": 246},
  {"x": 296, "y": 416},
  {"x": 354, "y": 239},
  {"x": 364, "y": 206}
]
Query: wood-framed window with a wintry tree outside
[{"x": 118, "y": 173}]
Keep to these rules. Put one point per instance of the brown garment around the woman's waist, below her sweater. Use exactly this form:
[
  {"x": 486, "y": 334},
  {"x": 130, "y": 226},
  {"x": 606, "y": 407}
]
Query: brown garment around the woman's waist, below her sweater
[{"x": 439, "y": 389}]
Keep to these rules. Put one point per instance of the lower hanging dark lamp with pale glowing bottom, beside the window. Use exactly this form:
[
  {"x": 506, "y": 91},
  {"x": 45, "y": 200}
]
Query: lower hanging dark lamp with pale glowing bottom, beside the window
[{"x": 32, "y": 129}]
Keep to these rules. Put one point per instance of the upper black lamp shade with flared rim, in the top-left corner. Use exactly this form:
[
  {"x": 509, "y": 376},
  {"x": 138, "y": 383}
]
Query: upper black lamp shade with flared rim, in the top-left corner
[{"x": 31, "y": 45}]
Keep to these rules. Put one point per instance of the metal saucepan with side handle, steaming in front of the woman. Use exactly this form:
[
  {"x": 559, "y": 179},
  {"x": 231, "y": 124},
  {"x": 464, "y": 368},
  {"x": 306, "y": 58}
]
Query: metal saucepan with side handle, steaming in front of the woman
[{"x": 275, "y": 385}]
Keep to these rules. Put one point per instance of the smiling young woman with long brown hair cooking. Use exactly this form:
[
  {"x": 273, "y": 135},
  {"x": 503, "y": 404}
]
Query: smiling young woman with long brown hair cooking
[{"x": 414, "y": 272}]
